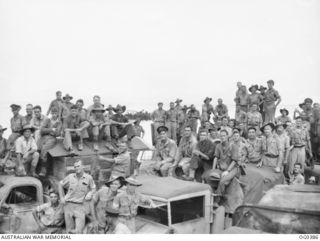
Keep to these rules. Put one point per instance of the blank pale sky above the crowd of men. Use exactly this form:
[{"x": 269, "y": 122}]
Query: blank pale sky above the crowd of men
[{"x": 138, "y": 53}]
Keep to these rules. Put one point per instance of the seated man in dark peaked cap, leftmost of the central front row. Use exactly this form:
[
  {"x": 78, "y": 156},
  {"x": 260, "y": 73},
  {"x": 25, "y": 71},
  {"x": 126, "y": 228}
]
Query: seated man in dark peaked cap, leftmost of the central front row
[{"x": 162, "y": 160}]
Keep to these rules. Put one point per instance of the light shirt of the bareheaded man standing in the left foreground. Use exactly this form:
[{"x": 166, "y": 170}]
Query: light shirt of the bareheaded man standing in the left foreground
[{"x": 78, "y": 188}]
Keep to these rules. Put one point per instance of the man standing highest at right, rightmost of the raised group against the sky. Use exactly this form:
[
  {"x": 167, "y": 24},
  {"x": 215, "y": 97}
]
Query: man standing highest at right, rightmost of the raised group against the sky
[{"x": 270, "y": 105}]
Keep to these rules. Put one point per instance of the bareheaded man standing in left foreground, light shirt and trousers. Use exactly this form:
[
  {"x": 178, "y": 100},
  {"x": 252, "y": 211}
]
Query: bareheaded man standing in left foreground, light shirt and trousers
[{"x": 80, "y": 189}]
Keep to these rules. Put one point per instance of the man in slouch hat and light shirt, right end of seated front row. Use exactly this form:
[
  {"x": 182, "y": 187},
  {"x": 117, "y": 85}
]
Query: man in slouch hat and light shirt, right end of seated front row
[{"x": 272, "y": 149}]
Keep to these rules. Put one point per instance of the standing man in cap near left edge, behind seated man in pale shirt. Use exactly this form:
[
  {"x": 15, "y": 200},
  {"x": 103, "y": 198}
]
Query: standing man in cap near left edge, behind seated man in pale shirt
[{"x": 16, "y": 125}]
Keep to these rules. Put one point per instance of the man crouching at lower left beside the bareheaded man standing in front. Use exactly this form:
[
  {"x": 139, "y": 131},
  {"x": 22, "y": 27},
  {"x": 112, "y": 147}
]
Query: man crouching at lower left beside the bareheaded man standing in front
[{"x": 50, "y": 216}]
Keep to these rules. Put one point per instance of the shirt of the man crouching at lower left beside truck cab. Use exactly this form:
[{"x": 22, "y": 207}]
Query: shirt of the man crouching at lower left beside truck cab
[{"x": 51, "y": 216}]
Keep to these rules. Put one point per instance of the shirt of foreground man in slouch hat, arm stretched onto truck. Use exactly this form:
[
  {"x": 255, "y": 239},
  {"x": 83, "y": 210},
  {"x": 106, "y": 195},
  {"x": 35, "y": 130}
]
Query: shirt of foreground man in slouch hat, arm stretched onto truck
[{"x": 127, "y": 204}]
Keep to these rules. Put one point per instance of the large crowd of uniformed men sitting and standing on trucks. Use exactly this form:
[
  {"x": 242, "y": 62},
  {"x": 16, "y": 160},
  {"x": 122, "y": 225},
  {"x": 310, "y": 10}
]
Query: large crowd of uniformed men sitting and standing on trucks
[{"x": 191, "y": 145}]
